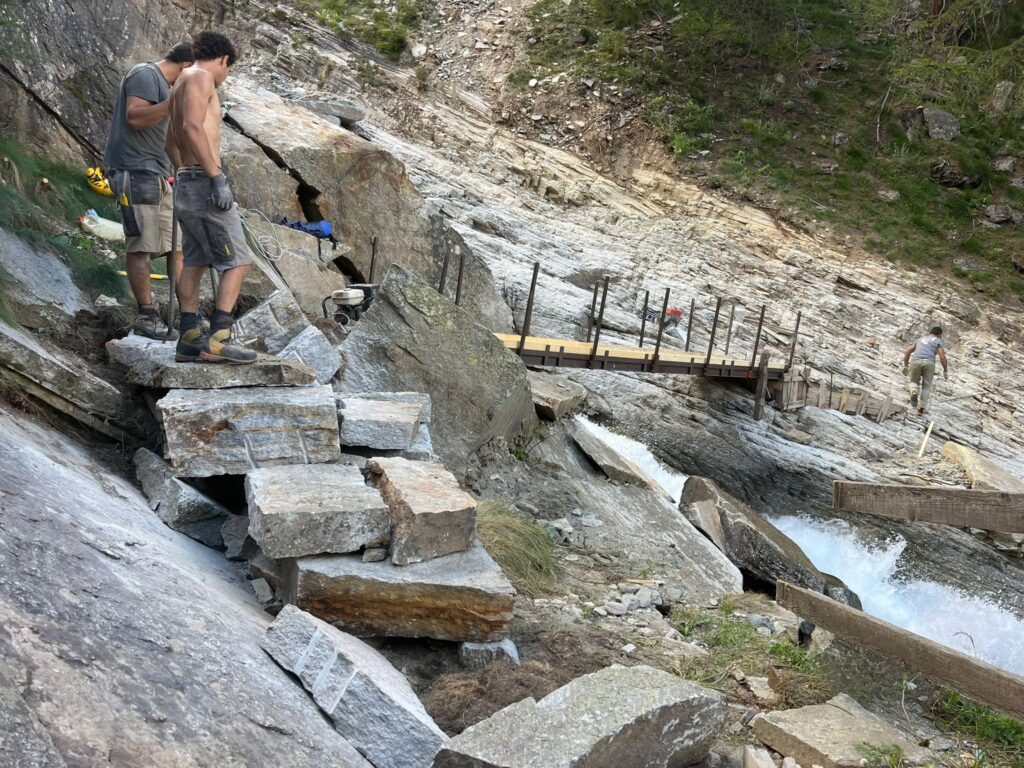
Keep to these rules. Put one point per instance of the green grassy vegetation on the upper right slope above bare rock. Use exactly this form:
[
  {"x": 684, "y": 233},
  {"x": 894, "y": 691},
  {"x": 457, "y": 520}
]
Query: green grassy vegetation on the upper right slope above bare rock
[{"x": 802, "y": 103}]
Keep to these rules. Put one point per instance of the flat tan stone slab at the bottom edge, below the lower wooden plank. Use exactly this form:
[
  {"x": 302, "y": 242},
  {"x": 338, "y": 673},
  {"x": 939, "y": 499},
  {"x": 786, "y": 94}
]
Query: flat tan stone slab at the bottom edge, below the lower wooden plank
[{"x": 834, "y": 735}]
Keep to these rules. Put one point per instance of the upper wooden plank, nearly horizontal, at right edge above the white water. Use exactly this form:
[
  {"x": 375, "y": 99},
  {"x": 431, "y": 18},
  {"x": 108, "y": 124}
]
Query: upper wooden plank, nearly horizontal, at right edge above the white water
[{"x": 992, "y": 510}]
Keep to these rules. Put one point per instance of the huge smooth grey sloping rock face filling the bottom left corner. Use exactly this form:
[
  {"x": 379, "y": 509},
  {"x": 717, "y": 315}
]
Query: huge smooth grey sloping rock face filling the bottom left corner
[{"x": 136, "y": 633}]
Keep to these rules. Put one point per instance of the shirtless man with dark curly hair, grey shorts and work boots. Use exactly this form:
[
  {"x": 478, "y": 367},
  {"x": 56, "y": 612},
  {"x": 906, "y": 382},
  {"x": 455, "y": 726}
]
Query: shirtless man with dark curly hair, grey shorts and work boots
[{"x": 210, "y": 223}]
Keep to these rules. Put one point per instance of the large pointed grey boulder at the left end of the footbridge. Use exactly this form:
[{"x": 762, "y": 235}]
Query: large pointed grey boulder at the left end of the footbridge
[{"x": 414, "y": 339}]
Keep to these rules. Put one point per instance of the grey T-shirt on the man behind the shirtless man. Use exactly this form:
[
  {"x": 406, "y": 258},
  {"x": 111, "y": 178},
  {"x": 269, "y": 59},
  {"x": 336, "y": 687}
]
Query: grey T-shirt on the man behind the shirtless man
[{"x": 132, "y": 150}]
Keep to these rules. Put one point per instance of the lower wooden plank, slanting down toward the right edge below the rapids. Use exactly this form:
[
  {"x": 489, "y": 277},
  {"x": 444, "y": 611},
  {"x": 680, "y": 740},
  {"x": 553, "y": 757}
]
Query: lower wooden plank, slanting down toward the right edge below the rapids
[{"x": 983, "y": 682}]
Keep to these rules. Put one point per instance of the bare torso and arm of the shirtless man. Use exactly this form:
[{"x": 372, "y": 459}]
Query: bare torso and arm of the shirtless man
[{"x": 195, "y": 124}]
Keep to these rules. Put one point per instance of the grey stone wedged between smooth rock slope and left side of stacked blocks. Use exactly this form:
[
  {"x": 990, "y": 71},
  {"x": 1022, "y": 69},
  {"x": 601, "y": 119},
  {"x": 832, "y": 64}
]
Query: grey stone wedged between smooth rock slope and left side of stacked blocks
[{"x": 181, "y": 506}]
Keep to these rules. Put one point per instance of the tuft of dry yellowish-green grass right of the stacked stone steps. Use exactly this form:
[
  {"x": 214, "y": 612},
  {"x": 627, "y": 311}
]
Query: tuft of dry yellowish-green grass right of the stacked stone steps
[{"x": 520, "y": 546}]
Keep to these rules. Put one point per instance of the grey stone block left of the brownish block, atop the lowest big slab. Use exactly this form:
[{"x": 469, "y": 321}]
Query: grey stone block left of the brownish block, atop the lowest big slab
[{"x": 327, "y": 508}]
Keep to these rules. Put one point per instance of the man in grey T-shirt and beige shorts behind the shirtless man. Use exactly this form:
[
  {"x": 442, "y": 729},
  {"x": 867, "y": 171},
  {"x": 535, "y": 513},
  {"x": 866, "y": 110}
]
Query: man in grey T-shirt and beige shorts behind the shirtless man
[{"x": 139, "y": 167}]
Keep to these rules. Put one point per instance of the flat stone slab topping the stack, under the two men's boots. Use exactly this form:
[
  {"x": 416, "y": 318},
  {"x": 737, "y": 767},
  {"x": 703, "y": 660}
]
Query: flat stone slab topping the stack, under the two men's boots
[{"x": 151, "y": 364}]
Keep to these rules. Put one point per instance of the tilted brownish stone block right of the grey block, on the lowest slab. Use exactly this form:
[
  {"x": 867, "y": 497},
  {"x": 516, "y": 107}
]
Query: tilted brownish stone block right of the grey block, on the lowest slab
[{"x": 432, "y": 516}]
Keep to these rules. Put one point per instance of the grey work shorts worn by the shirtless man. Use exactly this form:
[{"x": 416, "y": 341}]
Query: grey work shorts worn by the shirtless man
[{"x": 211, "y": 237}]
